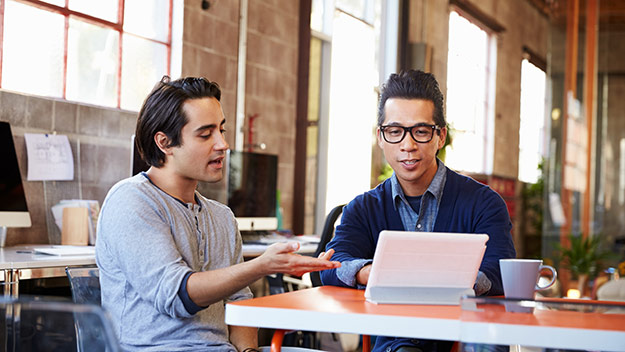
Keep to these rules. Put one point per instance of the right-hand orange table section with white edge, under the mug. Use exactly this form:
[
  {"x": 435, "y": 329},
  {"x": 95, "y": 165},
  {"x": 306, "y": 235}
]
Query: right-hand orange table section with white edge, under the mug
[{"x": 552, "y": 323}]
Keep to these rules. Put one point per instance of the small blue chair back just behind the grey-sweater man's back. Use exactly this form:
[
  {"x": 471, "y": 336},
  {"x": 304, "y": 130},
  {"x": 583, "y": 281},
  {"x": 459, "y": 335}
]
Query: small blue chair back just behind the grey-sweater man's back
[{"x": 85, "y": 284}]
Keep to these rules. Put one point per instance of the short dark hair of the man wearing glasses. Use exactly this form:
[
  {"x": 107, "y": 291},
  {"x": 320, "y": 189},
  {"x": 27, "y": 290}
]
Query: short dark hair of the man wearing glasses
[{"x": 413, "y": 84}]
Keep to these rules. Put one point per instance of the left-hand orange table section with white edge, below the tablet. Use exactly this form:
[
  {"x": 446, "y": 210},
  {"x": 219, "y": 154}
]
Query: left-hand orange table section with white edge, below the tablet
[{"x": 344, "y": 310}]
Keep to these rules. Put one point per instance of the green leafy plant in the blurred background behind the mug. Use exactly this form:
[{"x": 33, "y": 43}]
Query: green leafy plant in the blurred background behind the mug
[{"x": 583, "y": 257}]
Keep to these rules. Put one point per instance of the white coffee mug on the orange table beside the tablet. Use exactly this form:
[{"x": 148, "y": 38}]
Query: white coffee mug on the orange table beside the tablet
[{"x": 520, "y": 277}]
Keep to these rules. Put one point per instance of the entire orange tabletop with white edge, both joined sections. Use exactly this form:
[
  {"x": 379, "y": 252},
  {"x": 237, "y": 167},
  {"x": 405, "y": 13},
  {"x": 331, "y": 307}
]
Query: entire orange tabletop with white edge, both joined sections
[{"x": 334, "y": 309}]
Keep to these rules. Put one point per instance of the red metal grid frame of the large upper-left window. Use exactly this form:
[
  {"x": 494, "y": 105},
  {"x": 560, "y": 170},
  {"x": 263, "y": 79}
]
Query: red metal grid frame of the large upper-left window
[{"x": 67, "y": 13}]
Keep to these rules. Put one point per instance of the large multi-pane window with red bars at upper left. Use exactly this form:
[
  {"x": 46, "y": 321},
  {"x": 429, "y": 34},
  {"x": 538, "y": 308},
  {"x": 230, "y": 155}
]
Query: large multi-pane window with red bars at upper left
[{"x": 104, "y": 52}]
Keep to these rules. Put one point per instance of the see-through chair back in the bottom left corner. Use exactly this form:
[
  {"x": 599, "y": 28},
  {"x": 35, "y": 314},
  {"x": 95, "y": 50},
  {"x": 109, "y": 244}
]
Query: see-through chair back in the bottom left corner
[{"x": 37, "y": 324}]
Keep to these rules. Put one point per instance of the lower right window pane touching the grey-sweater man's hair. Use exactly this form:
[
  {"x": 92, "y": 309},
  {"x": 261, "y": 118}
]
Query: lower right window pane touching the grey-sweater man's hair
[{"x": 143, "y": 64}]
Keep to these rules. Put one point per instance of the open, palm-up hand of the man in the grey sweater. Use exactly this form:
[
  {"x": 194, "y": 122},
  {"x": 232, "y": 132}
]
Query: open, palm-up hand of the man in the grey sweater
[{"x": 280, "y": 258}]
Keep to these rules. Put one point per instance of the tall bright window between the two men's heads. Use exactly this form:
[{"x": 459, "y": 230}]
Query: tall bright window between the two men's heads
[{"x": 343, "y": 46}]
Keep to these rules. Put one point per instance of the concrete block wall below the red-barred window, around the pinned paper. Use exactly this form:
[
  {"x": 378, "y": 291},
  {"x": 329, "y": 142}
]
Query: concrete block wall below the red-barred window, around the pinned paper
[{"x": 100, "y": 141}]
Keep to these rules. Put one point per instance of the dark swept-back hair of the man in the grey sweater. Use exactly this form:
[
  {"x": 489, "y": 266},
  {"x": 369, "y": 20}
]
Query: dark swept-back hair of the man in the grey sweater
[{"x": 162, "y": 112}]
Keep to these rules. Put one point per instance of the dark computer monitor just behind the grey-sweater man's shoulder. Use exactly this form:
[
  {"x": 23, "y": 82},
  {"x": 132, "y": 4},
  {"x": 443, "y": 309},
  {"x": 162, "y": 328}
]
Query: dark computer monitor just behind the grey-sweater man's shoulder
[{"x": 252, "y": 190}]
